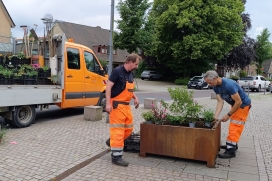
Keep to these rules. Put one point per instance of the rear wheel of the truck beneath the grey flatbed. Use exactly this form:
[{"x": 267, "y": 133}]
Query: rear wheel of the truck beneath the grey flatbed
[{"x": 23, "y": 116}]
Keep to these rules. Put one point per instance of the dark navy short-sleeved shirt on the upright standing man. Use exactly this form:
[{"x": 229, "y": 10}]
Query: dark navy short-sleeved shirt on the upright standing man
[{"x": 119, "y": 76}]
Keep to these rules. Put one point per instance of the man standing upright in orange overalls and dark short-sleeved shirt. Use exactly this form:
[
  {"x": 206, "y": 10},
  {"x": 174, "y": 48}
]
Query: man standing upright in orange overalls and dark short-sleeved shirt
[{"x": 119, "y": 92}]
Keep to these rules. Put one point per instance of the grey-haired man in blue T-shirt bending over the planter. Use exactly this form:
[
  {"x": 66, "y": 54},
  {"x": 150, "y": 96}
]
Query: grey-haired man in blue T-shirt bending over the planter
[{"x": 232, "y": 93}]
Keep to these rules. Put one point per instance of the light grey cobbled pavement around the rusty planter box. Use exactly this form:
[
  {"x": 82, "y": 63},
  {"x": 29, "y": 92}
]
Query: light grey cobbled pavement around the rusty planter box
[{"x": 47, "y": 149}]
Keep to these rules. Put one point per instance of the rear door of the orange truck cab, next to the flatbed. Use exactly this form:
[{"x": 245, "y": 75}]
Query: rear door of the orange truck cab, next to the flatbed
[{"x": 73, "y": 78}]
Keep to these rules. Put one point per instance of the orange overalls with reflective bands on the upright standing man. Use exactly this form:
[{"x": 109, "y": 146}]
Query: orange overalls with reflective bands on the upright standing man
[{"x": 121, "y": 119}]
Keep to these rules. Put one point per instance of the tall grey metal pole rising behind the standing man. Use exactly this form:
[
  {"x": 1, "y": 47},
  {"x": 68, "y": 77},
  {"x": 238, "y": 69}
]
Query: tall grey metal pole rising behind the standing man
[{"x": 111, "y": 46}]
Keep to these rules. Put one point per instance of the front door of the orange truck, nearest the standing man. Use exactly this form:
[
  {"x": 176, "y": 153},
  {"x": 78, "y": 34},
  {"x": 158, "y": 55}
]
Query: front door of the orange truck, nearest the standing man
[{"x": 93, "y": 81}]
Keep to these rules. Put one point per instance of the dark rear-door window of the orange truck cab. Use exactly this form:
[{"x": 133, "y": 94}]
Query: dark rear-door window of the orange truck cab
[{"x": 73, "y": 58}]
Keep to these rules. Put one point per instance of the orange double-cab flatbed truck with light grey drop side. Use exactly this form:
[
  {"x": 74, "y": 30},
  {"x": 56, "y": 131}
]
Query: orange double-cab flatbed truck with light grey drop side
[{"x": 81, "y": 81}]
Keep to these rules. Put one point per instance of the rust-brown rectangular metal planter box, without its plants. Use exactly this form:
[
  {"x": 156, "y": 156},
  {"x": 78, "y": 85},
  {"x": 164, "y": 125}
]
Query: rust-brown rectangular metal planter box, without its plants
[{"x": 181, "y": 142}]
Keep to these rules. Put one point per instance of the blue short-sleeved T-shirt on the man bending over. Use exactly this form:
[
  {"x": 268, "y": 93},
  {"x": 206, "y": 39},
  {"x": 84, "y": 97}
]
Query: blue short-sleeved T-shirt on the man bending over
[{"x": 230, "y": 87}]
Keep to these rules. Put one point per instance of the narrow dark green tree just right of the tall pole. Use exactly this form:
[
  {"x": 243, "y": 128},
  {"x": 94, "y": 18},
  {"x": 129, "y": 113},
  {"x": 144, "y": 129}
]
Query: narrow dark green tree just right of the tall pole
[{"x": 131, "y": 35}]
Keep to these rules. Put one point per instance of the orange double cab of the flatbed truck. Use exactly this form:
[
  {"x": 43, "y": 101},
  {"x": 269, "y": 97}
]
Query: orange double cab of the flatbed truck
[{"x": 84, "y": 78}]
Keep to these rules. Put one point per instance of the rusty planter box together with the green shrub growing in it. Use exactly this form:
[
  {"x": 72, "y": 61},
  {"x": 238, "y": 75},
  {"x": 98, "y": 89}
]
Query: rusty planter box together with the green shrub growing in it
[{"x": 172, "y": 137}]
